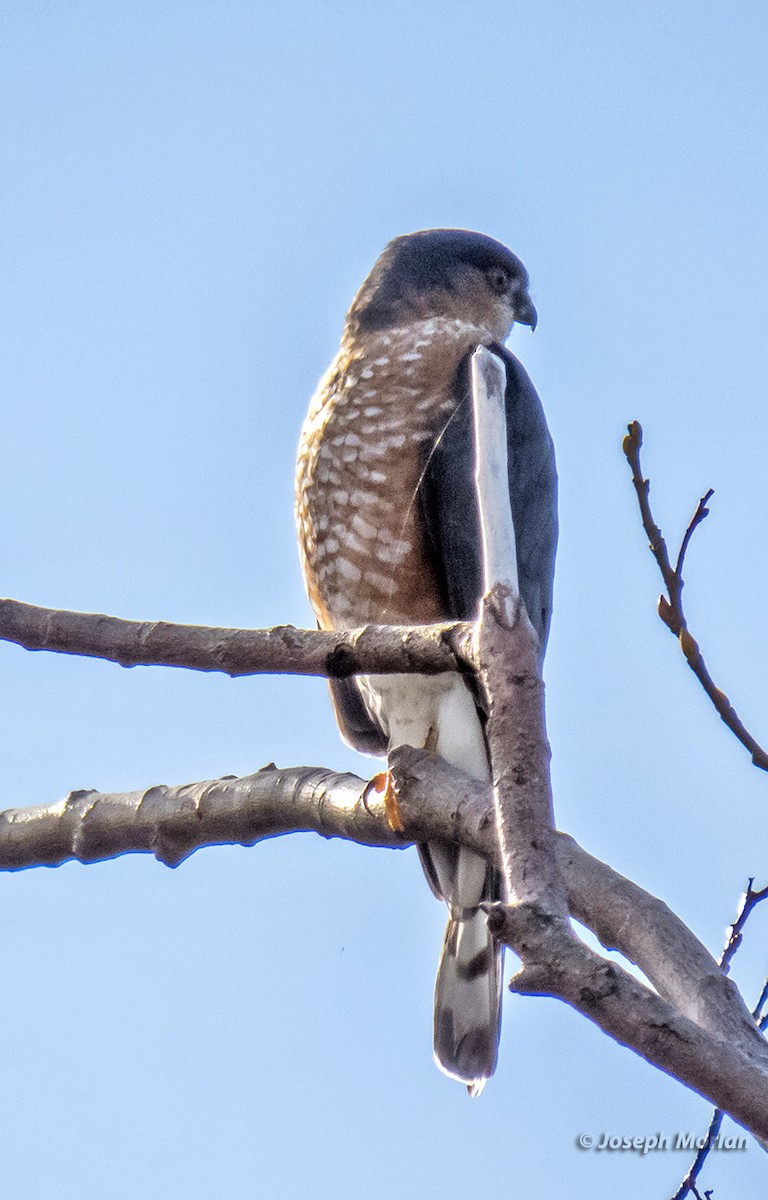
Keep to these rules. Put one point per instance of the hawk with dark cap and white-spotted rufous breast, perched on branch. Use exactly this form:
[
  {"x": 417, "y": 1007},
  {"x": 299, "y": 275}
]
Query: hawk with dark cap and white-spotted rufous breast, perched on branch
[{"x": 389, "y": 533}]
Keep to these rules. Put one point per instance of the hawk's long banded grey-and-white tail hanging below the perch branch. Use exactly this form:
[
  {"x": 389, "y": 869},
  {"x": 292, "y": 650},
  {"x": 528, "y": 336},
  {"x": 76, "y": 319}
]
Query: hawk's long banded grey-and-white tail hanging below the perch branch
[{"x": 469, "y": 987}]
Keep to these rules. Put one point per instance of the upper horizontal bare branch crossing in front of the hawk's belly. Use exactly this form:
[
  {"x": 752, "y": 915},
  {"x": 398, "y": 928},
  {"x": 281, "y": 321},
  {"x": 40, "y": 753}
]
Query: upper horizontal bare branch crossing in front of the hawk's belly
[{"x": 382, "y": 650}]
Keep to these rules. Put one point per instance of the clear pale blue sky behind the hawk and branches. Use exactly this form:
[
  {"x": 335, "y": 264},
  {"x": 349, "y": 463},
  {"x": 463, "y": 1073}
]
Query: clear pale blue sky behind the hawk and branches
[{"x": 190, "y": 196}]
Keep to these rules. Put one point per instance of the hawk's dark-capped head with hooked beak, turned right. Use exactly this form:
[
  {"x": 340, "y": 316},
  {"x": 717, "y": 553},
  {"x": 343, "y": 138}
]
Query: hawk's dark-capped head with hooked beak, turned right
[{"x": 445, "y": 273}]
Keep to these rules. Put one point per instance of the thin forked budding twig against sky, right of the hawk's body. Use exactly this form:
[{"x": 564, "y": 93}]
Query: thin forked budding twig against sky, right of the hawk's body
[{"x": 671, "y": 607}]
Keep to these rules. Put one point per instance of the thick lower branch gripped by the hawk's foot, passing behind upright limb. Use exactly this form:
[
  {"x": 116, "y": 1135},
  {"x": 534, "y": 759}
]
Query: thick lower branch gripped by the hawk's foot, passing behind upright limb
[{"x": 435, "y": 801}]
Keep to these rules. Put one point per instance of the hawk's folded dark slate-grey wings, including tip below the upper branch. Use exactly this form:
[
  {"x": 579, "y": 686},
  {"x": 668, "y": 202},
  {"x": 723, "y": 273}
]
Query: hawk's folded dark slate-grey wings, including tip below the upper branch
[{"x": 449, "y": 509}]
